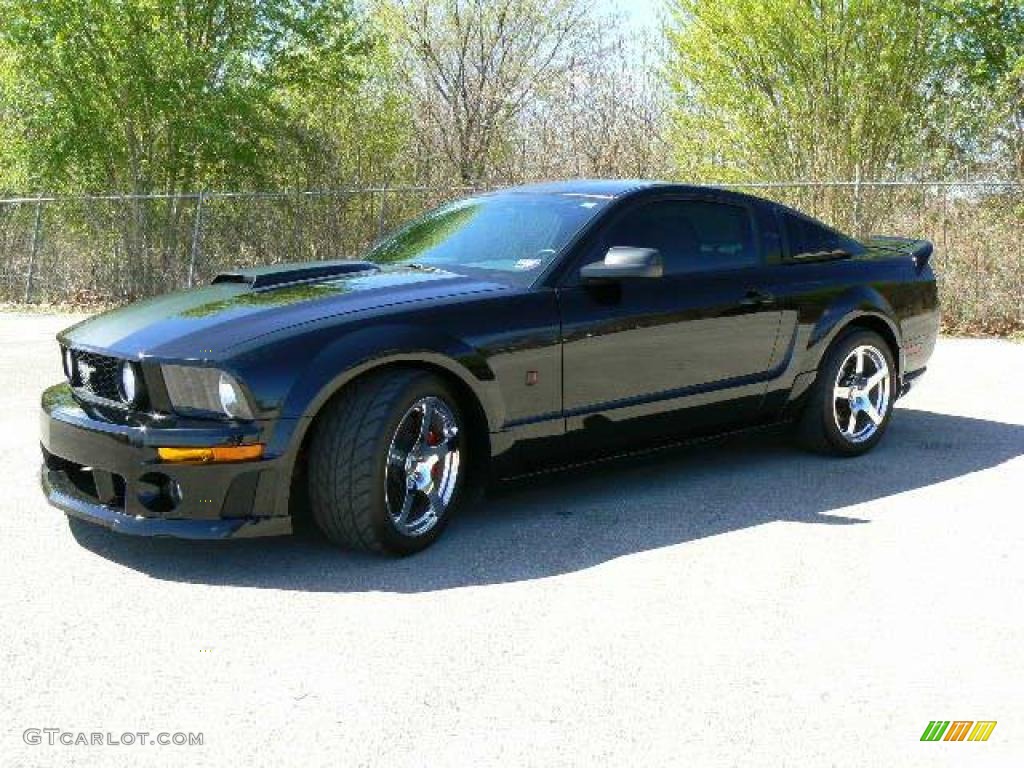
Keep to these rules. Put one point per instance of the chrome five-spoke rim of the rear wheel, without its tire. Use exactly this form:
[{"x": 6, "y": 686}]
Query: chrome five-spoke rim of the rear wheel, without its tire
[{"x": 862, "y": 393}]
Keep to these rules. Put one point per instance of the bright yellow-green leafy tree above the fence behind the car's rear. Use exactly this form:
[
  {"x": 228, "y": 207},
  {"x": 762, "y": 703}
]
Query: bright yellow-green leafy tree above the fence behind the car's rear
[{"x": 798, "y": 90}]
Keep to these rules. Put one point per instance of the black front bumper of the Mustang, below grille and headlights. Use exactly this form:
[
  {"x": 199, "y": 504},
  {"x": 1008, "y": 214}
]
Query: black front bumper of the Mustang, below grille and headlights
[{"x": 107, "y": 472}]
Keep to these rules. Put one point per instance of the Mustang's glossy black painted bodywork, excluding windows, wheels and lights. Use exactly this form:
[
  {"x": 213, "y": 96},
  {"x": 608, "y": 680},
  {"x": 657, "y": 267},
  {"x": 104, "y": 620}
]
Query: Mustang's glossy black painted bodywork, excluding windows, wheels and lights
[{"x": 559, "y": 365}]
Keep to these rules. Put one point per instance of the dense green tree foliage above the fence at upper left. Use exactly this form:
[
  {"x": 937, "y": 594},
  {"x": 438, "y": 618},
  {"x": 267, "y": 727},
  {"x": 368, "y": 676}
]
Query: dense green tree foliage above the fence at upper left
[{"x": 162, "y": 96}]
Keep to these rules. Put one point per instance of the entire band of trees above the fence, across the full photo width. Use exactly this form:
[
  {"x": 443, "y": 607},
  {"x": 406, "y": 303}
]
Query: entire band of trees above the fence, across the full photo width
[{"x": 173, "y": 96}]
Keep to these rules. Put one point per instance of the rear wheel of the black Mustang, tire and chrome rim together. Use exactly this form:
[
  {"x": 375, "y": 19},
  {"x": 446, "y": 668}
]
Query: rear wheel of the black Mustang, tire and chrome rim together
[{"x": 850, "y": 406}]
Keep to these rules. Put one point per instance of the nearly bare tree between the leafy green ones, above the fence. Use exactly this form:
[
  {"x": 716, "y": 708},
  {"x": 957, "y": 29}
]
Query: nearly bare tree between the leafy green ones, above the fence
[{"x": 474, "y": 66}]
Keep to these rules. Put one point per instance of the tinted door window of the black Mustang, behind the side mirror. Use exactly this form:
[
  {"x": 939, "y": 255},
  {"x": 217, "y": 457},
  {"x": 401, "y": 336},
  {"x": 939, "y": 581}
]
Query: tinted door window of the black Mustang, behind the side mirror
[{"x": 693, "y": 236}]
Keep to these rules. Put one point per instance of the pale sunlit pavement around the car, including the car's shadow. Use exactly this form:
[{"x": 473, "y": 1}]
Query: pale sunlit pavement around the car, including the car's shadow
[{"x": 730, "y": 604}]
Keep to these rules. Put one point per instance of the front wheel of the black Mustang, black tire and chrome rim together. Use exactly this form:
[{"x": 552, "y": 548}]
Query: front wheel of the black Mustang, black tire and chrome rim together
[{"x": 387, "y": 463}]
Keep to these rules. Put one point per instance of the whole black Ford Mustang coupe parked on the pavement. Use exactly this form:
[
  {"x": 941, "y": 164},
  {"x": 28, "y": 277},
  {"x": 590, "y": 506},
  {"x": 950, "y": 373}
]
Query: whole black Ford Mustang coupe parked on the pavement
[{"x": 491, "y": 336}]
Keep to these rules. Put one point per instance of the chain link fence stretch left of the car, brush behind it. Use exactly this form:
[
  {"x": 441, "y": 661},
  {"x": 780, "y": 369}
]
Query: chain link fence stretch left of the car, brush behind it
[{"x": 106, "y": 249}]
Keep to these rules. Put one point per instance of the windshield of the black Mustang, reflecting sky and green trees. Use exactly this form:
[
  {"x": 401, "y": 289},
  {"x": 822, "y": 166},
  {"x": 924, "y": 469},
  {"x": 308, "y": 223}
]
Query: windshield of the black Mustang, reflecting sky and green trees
[{"x": 510, "y": 237}]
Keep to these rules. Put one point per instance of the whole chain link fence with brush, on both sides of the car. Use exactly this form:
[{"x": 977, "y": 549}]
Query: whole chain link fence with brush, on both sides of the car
[{"x": 112, "y": 249}]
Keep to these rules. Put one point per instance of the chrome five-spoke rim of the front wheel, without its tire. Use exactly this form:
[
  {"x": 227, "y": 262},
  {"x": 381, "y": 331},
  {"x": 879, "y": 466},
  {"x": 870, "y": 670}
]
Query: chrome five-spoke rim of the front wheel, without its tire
[{"x": 422, "y": 467}]
